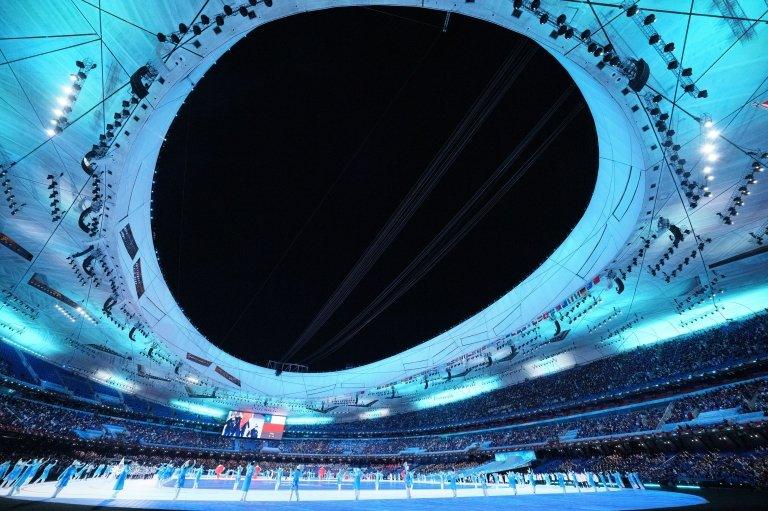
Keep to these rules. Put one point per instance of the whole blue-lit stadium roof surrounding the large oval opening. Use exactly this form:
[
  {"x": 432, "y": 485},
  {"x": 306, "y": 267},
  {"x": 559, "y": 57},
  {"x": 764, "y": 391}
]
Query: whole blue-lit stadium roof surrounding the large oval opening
[{"x": 680, "y": 101}]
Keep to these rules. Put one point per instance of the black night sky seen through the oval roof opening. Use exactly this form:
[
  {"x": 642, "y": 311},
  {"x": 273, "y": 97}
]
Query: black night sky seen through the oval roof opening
[{"x": 344, "y": 109}]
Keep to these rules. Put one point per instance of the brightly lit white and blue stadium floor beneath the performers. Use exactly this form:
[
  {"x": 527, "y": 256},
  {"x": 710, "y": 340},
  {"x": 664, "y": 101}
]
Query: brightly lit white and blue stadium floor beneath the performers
[{"x": 216, "y": 495}]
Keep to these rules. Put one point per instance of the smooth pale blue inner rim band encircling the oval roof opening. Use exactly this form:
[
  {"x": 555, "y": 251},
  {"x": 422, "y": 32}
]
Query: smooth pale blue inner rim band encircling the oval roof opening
[{"x": 607, "y": 223}]
